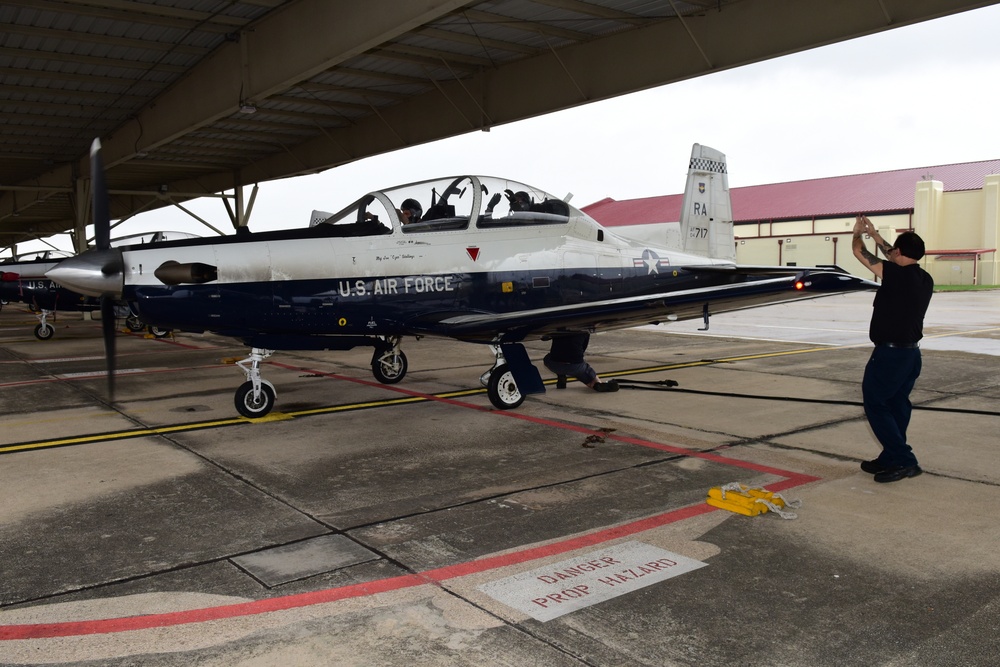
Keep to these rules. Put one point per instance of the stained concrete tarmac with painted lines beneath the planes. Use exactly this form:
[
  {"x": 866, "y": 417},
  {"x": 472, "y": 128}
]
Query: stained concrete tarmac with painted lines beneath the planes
[{"x": 413, "y": 524}]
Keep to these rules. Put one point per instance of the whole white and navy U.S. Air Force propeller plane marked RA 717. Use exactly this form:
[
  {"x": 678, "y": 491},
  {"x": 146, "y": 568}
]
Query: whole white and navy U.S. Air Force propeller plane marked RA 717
[{"x": 478, "y": 259}]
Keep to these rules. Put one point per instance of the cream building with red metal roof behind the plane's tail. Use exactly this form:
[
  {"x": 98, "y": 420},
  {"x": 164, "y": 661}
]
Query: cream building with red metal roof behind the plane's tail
[{"x": 954, "y": 207}]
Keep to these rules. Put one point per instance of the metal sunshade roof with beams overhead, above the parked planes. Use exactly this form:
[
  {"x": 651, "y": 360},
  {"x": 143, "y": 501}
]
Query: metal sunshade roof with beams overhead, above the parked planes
[{"x": 195, "y": 97}]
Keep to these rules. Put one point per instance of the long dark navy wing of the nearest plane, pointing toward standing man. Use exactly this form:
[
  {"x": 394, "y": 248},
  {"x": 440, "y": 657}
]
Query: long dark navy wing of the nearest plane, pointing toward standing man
[{"x": 632, "y": 311}]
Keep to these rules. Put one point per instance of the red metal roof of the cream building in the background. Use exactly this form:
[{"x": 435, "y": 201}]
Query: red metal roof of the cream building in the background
[{"x": 879, "y": 192}]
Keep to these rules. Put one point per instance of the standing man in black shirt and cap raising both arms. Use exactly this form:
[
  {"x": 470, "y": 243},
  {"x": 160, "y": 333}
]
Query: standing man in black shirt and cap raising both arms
[{"x": 896, "y": 327}]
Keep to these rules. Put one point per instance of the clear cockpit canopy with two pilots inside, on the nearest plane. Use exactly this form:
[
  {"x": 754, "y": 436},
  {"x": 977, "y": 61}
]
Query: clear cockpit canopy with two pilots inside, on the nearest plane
[{"x": 451, "y": 204}]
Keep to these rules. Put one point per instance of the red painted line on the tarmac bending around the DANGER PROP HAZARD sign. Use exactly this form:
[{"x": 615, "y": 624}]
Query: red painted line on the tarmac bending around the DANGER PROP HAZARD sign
[{"x": 435, "y": 576}]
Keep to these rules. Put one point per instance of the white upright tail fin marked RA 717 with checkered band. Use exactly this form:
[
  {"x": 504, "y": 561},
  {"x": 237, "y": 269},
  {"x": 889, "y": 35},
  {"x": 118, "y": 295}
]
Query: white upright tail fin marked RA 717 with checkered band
[{"x": 707, "y": 213}]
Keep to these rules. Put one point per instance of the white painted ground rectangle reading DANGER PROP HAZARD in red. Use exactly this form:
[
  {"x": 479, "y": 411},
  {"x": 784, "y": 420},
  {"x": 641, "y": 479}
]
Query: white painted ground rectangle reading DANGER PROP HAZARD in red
[{"x": 549, "y": 592}]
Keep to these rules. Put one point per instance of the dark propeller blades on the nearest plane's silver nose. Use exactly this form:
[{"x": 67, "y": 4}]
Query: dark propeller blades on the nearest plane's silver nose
[{"x": 111, "y": 262}]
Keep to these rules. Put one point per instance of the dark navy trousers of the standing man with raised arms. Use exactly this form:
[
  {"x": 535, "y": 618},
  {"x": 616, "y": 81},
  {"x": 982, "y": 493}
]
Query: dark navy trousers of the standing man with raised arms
[{"x": 889, "y": 378}]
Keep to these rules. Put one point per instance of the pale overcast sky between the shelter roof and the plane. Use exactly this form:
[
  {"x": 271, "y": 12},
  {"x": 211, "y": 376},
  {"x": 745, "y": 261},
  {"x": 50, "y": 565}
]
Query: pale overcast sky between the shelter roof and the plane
[{"x": 918, "y": 96}]
